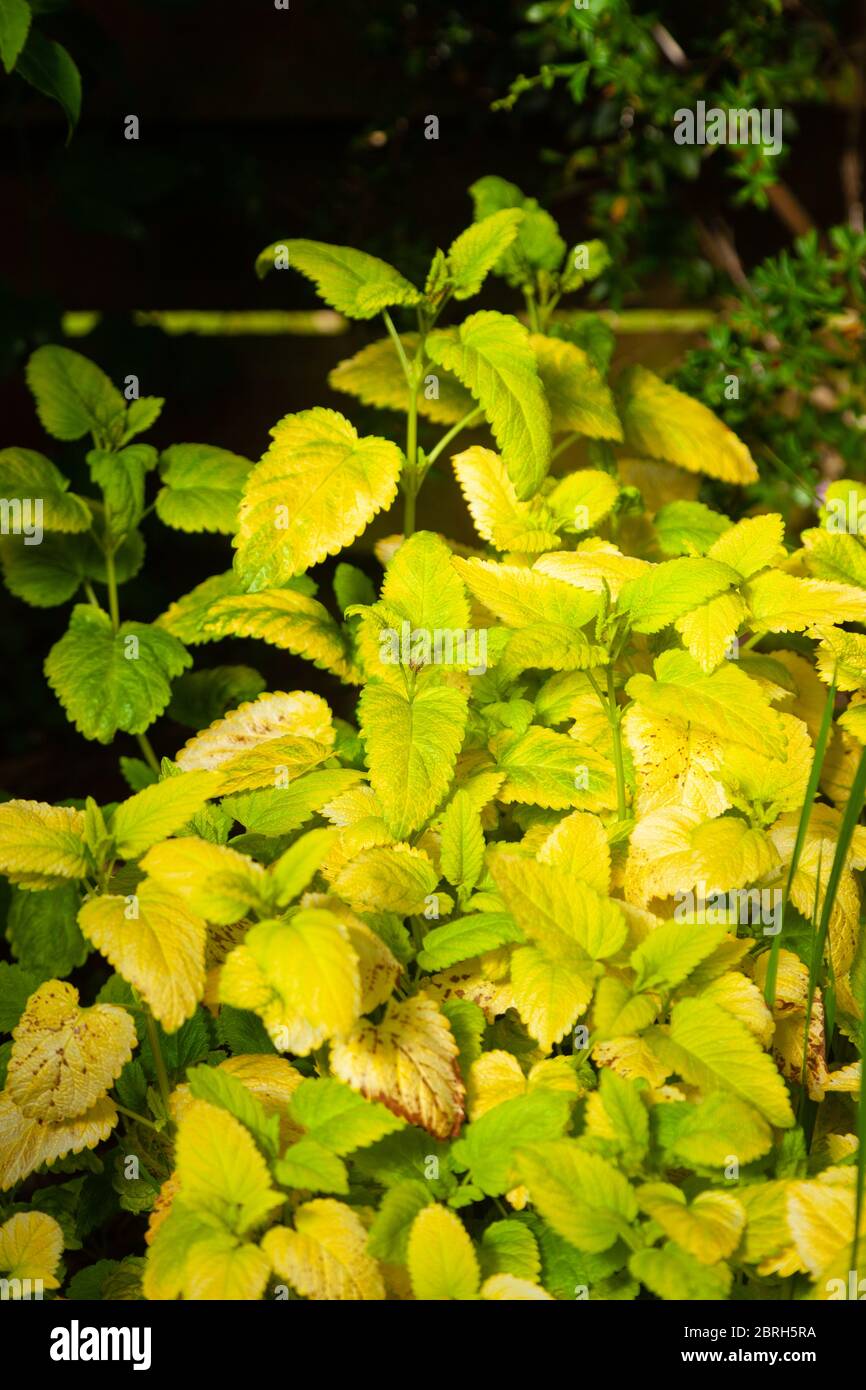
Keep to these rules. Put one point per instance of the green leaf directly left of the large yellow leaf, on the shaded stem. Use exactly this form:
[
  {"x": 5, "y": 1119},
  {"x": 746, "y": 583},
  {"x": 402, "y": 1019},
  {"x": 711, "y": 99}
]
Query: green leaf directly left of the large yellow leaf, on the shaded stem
[{"x": 202, "y": 489}]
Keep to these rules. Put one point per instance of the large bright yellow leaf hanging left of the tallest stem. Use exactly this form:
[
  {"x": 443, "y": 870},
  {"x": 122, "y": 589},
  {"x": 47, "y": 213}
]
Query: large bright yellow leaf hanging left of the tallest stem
[{"x": 315, "y": 491}]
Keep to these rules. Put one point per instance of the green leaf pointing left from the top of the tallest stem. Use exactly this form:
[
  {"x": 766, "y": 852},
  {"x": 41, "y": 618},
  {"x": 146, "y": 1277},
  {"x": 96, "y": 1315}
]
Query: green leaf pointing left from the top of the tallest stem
[{"x": 354, "y": 283}]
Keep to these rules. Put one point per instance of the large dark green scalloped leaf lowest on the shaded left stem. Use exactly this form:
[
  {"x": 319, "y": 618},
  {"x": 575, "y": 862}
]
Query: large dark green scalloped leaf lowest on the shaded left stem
[{"x": 109, "y": 682}]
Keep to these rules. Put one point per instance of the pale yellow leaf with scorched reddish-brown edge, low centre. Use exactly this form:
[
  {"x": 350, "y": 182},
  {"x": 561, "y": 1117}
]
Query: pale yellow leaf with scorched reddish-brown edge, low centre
[{"x": 409, "y": 1063}]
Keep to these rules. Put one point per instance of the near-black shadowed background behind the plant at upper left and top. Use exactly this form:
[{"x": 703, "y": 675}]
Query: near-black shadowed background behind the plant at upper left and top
[{"x": 256, "y": 124}]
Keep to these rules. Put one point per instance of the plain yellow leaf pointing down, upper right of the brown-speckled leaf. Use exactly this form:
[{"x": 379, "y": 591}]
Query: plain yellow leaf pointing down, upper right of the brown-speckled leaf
[{"x": 156, "y": 943}]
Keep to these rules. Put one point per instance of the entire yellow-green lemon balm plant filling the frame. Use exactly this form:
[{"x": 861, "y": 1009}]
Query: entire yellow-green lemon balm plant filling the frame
[{"x": 540, "y": 979}]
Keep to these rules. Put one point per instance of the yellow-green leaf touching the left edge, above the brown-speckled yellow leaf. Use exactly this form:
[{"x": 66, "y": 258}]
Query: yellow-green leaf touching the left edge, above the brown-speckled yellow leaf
[{"x": 41, "y": 846}]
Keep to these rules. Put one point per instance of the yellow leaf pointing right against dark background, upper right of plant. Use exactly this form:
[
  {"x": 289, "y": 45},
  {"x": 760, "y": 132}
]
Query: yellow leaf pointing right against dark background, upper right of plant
[{"x": 664, "y": 423}]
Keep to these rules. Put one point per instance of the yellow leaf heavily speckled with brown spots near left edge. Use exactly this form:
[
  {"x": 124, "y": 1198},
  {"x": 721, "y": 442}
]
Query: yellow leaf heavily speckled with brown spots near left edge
[{"x": 65, "y": 1058}]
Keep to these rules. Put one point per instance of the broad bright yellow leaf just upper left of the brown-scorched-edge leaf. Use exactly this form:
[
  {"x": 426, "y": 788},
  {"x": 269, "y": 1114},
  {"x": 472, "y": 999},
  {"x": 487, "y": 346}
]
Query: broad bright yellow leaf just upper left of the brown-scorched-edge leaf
[{"x": 301, "y": 976}]
